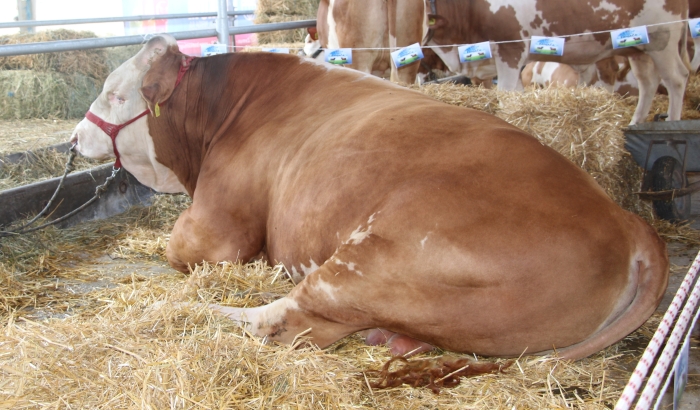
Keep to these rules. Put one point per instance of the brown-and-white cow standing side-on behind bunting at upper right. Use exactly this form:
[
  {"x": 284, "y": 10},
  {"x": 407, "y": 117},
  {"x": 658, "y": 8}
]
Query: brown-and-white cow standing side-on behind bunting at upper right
[{"x": 665, "y": 57}]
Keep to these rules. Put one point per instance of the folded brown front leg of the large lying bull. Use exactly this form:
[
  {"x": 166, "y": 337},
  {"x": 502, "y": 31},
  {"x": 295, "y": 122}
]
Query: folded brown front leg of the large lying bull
[{"x": 205, "y": 235}]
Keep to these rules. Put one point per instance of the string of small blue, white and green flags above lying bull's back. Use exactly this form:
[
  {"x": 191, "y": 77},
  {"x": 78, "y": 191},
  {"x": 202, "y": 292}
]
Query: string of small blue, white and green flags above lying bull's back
[{"x": 553, "y": 46}]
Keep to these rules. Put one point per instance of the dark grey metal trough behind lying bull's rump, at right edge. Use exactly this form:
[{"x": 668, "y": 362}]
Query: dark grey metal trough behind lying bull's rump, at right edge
[{"x": 667, "y": 151}]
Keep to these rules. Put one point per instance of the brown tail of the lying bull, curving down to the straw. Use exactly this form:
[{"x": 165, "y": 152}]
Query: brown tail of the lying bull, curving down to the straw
[{"x": 649, "y": 268}]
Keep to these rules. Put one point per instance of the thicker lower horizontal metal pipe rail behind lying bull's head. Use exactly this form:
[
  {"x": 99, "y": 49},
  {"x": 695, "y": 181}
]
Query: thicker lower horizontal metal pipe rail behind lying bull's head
[{"x": 90, "y": 43}]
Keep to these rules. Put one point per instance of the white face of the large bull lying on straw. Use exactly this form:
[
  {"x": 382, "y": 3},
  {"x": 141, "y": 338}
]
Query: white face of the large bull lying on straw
[{"x": 120, "y": 102}]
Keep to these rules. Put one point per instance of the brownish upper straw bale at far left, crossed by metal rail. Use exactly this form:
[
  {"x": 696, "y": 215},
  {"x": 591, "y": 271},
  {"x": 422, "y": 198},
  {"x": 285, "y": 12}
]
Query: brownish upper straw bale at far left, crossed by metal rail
[{"x": 89, "y": 63}]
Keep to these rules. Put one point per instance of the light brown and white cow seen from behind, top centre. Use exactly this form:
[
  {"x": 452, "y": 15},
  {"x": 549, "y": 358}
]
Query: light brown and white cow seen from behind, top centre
[{"x": 371, "y": 28}]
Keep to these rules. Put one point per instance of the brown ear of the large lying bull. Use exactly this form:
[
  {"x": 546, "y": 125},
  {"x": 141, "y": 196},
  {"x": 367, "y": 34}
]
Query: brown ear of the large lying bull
[{"x": 159, "y": 81}]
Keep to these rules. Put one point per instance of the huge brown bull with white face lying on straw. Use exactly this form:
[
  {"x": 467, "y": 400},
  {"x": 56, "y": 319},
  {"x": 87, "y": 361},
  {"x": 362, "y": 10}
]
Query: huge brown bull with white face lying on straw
[{"x": 439, "y": 224}]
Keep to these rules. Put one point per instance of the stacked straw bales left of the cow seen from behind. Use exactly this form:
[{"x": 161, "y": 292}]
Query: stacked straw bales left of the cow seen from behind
[{"x": 278, "y": 11}]
